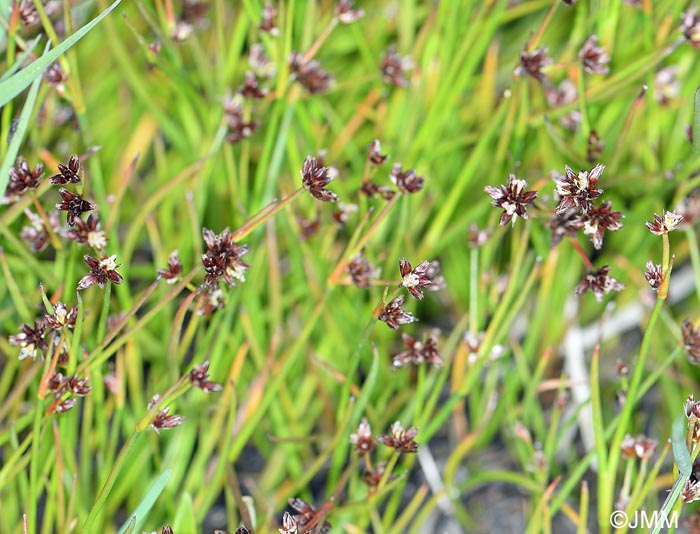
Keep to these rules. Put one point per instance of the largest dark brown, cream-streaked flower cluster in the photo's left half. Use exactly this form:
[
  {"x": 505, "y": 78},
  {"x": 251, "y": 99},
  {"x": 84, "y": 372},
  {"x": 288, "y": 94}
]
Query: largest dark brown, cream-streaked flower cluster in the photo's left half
[{"x": 222, "y": 260}]
